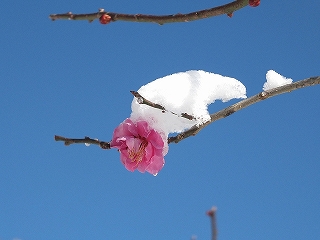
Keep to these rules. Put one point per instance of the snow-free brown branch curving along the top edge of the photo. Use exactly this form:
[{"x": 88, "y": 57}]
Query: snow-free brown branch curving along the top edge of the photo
[{"x": 228, "y": 8}]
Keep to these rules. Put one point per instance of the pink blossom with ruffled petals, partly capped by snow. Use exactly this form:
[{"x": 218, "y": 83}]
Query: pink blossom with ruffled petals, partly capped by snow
[{"x": 140, "y": 146}]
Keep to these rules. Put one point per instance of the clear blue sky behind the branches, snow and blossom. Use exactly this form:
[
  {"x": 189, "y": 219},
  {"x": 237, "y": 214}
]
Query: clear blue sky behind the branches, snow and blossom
[{"x": 260, "y": 166}]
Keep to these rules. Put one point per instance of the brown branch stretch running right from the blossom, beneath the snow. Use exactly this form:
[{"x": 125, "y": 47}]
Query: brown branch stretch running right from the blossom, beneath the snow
[{"x": 245, "y": 103}]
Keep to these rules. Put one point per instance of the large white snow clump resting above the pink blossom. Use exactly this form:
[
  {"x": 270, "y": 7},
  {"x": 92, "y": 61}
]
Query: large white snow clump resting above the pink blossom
[{"x": 185, "y": 92}]
